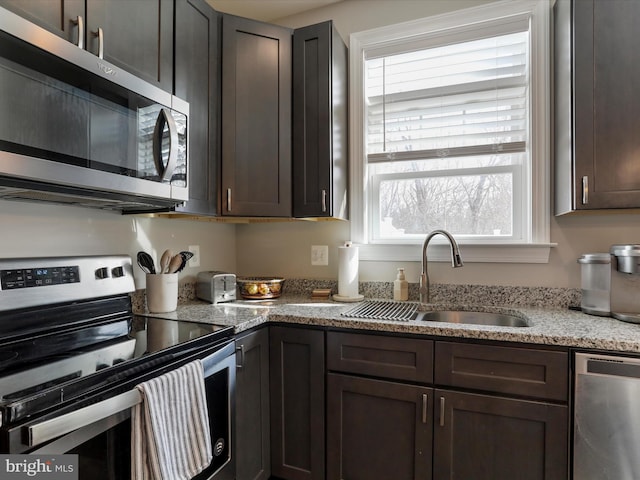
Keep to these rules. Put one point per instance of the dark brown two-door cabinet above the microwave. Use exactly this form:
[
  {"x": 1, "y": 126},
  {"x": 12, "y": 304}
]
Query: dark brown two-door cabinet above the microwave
[{"x": 136, "y": 35}]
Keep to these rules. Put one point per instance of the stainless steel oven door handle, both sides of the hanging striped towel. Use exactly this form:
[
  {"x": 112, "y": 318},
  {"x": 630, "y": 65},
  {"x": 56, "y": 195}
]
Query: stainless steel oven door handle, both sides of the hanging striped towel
[{"x": 49, "y": 429}]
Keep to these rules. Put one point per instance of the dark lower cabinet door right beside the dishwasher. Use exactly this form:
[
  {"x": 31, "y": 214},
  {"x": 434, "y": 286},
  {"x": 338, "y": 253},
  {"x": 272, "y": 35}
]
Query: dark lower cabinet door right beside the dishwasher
[{"x": 493, "y": 438}]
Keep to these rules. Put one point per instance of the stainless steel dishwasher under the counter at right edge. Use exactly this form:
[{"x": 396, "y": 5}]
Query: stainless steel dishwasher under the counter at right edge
[{"x": 606, "y": 443}]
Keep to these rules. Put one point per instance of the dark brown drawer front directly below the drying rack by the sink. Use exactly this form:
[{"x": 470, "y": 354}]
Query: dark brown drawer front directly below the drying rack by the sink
[{"x": 398, "y": 358}]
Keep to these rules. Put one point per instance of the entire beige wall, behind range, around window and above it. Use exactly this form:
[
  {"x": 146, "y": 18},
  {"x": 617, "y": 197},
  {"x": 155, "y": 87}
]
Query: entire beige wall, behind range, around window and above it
[{"x": 284, "y": 248}]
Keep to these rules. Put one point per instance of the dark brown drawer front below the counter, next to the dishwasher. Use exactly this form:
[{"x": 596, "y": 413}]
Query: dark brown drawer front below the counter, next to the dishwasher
[{"x": 518, "y": 371}]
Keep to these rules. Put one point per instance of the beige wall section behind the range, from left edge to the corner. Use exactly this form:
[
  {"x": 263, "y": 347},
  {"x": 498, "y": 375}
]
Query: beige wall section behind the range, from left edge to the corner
[{"x": 30, "y": 229}]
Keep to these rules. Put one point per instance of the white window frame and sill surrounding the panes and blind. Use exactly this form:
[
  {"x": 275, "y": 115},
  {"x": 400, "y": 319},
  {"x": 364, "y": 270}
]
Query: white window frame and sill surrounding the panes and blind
[{"x": 536, "y": 247}]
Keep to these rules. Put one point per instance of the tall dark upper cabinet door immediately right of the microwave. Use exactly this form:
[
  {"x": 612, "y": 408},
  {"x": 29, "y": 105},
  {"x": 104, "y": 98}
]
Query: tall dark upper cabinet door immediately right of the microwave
[{"x": 197, "y": 62}]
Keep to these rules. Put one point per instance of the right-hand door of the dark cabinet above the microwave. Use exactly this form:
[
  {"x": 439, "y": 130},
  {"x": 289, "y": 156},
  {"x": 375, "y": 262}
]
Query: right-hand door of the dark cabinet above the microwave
[{"x": 137, "y": 35}]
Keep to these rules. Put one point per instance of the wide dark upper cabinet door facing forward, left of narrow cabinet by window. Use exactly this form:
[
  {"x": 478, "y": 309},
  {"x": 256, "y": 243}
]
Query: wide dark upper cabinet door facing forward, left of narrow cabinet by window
[{"x": 256, "y": 118}]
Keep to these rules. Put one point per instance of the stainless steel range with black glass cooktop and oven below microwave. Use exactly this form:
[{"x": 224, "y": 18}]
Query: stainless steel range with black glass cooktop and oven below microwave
[{"x": 72, "y": 352}]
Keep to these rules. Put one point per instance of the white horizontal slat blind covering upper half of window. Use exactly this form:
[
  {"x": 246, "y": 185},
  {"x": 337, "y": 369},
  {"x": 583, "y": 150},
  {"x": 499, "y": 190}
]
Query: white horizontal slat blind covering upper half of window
[{"x": 462, "y": 99}]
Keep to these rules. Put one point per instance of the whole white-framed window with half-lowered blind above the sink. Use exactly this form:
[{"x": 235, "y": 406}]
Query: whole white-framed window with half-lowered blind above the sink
[{"x": 450, "y": 130}]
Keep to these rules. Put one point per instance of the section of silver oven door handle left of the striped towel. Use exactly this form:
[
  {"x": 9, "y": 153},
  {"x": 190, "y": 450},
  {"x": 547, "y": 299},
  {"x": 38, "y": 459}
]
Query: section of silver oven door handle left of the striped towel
[{"x": 55, "y": 427}]
